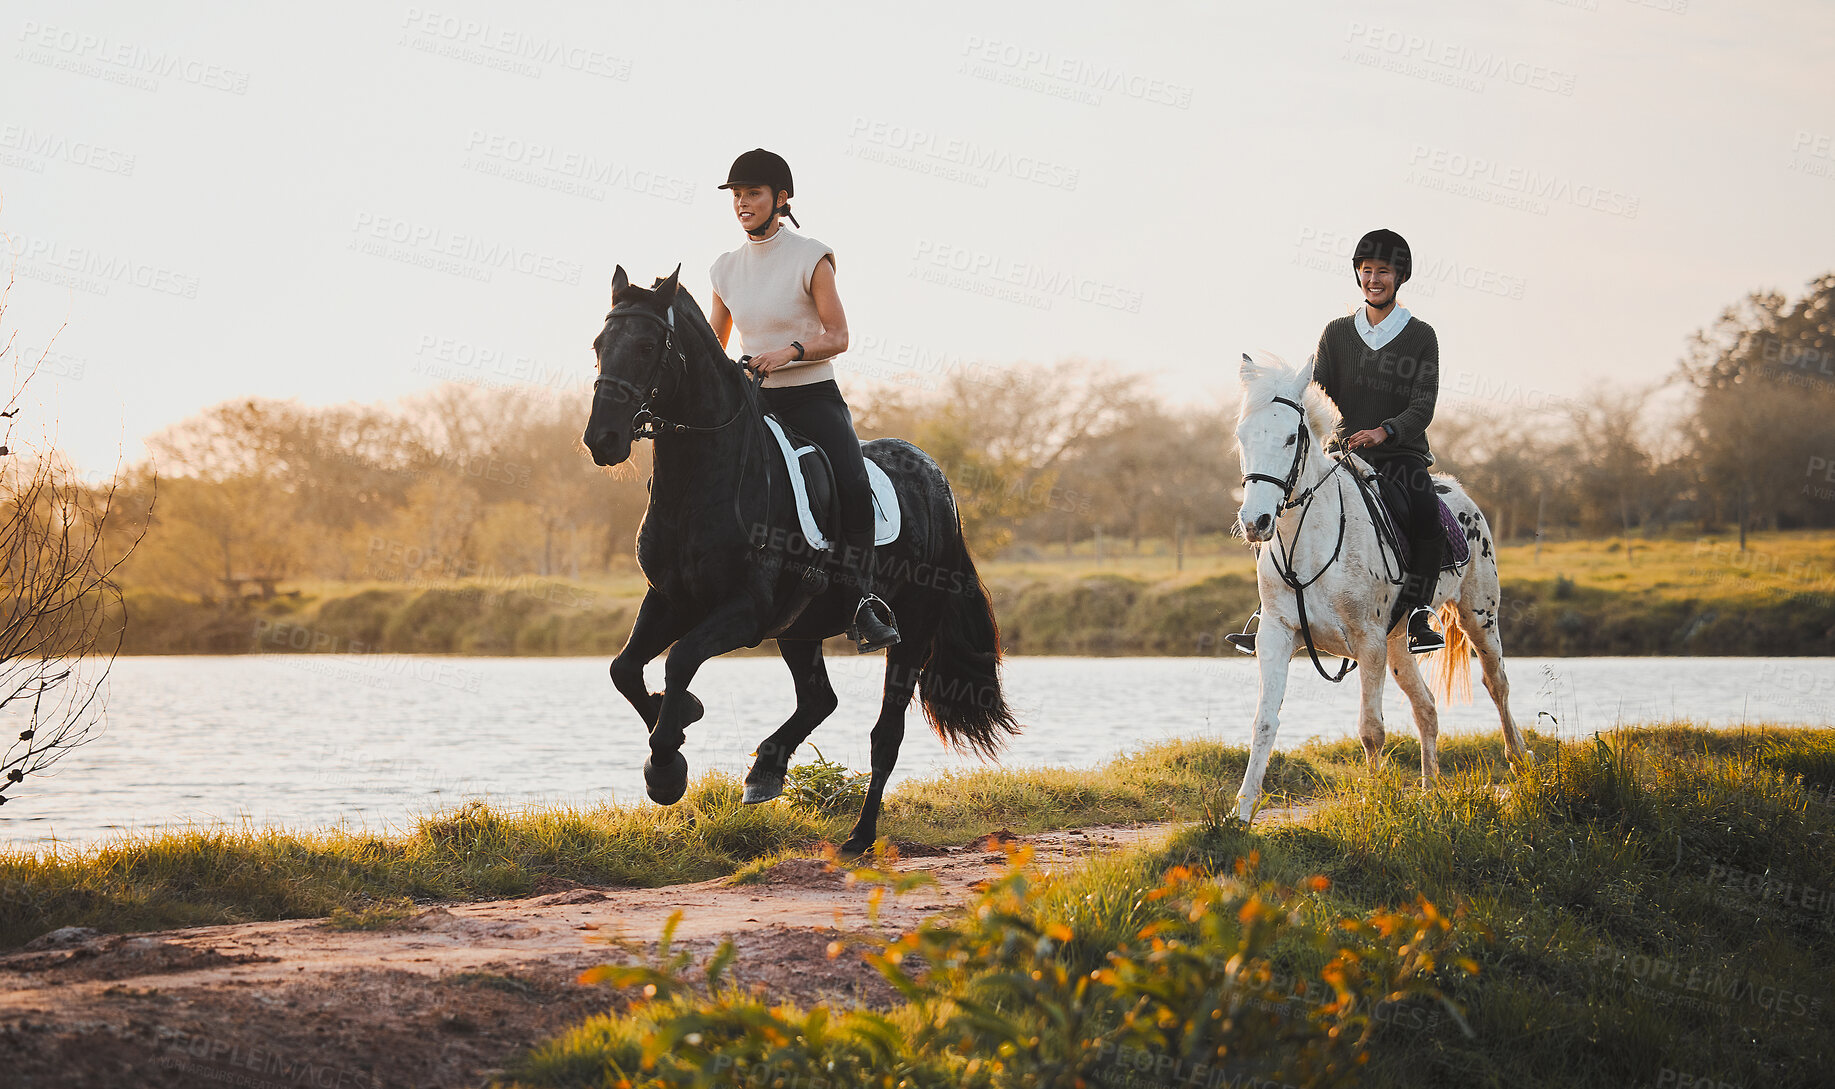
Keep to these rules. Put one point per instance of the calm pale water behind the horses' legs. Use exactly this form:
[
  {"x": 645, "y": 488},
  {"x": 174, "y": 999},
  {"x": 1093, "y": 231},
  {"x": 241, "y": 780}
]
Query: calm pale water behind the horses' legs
[{"x": 377, "y": 739}]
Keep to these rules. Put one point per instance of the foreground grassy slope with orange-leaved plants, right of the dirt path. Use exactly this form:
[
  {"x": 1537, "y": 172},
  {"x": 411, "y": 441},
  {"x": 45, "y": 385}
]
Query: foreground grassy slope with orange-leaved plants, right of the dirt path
[{"x": 1641, "y": 910}]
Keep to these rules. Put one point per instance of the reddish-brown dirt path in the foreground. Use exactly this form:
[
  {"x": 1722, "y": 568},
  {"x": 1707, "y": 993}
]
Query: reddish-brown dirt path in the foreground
[{"x": 447, "y": 996}]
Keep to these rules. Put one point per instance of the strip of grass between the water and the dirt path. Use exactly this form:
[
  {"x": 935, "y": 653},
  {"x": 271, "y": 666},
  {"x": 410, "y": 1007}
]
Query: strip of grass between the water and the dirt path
[{"x": 210, "y": 875}]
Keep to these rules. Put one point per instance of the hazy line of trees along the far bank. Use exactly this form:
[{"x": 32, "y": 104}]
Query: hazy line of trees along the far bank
[{"x": 473, "y": 482}]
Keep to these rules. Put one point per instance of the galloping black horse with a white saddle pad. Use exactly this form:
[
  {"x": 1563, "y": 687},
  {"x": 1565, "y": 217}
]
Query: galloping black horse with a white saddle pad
[{"x": 729, "y": 567}]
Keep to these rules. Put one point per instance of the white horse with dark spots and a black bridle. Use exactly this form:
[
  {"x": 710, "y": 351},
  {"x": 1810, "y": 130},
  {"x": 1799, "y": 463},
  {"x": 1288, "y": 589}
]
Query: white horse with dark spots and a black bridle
[{"x": 1329, "y": 579}]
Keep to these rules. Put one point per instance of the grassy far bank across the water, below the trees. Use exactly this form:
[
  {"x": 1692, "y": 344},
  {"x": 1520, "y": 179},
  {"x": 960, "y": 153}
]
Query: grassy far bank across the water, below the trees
[{"x": 1684, "y": 596}]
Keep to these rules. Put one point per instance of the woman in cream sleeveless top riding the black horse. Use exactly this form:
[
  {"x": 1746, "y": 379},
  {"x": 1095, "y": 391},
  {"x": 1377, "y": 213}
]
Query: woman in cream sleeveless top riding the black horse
[{"x": 779, "y": 289}]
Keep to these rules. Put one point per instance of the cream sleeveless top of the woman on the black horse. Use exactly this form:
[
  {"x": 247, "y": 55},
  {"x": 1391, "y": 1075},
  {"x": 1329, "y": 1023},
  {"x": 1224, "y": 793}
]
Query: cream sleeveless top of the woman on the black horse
[{"x": 766, "y": 287}]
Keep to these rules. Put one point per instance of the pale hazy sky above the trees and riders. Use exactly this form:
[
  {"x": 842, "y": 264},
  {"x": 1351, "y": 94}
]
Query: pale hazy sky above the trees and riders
[{"x": 355, "y": 201}]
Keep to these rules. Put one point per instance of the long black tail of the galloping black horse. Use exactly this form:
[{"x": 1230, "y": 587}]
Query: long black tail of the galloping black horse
[{"x": 961, "y": 682}]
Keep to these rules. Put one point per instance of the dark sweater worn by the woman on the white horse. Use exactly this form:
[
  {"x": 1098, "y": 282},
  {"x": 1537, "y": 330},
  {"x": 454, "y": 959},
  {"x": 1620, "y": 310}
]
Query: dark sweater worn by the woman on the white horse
[{"x": 1396, "y": 385}]
